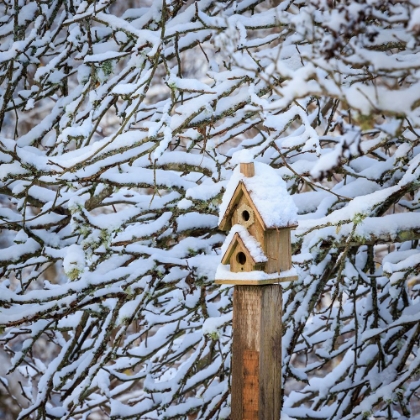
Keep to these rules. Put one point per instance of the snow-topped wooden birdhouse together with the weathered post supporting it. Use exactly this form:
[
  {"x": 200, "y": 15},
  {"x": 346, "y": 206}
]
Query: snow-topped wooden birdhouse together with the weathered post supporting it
[{"x": 259, "y": 215}]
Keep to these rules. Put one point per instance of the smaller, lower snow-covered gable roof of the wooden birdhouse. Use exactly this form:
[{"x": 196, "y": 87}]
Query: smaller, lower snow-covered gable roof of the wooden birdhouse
[{"x": 239, "y": 234}]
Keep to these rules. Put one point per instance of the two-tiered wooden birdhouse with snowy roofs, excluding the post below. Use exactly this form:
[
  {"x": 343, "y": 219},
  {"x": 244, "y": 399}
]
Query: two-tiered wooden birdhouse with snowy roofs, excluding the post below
[{"x": 259, "y": 215}]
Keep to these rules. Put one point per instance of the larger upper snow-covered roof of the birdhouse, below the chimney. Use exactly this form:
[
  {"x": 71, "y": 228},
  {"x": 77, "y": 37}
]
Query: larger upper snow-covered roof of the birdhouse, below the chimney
[{"x": 268, "y": 193}]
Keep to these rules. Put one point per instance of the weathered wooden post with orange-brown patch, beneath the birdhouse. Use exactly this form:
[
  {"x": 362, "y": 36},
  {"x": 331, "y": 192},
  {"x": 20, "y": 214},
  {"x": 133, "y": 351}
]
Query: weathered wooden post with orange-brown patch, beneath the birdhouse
[{"x": 256, "y": 359}]
